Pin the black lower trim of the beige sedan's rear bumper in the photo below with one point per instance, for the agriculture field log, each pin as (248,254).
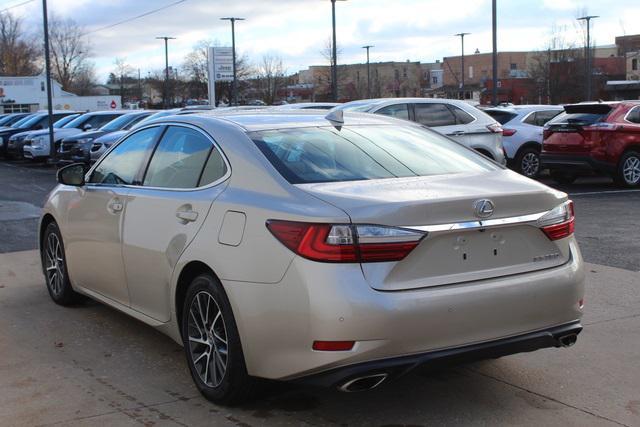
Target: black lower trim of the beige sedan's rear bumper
(398,366)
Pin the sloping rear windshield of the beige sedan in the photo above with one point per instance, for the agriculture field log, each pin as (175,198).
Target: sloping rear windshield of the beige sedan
(326,154)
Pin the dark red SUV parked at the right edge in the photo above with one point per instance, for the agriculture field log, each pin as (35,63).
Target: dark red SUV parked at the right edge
(601,138)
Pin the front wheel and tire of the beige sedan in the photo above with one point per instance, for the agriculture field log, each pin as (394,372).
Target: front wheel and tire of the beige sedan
(54,266)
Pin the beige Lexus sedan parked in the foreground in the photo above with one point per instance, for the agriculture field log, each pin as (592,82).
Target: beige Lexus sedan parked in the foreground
(340,250)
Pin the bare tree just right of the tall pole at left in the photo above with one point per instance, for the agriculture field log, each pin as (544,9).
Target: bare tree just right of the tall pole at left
(70,51)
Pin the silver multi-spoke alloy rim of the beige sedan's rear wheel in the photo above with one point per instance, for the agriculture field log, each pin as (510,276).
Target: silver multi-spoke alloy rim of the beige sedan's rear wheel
(208,340)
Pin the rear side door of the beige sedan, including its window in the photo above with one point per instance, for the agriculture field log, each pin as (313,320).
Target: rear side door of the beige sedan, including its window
(185,175)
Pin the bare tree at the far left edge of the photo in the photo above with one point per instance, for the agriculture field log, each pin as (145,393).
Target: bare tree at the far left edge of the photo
(19,53)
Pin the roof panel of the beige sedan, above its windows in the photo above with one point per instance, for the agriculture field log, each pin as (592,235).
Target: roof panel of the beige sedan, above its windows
(259,120)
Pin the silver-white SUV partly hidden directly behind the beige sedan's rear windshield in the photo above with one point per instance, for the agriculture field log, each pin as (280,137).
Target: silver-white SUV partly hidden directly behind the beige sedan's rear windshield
(456,119)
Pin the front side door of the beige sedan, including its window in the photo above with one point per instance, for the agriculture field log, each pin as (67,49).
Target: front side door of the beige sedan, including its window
(93,237)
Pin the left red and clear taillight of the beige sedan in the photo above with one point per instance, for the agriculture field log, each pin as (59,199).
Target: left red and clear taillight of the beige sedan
(344,242)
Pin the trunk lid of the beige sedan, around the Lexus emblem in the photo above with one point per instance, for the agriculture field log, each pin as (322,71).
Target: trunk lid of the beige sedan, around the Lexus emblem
(446,256)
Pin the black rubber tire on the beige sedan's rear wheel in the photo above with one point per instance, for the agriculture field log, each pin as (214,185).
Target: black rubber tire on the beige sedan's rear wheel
(235,386)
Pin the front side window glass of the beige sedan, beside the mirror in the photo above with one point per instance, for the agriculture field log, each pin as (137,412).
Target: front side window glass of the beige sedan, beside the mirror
(122,165)
